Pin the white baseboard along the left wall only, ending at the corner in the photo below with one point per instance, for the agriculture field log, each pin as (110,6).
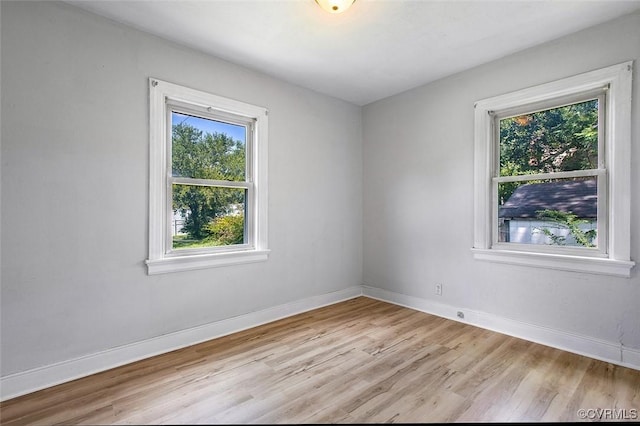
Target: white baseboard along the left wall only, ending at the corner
(50,375)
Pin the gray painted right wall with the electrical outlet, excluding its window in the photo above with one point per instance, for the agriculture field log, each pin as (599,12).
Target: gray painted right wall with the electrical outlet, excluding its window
(418,196)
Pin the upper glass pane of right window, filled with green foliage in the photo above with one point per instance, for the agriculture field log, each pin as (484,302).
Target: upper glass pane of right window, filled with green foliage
(553,140)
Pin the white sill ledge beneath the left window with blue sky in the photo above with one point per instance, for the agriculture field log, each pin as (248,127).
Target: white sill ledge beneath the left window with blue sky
(203,261)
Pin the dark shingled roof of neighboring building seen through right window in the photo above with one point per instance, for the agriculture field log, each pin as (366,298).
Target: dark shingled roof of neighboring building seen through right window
(577,196)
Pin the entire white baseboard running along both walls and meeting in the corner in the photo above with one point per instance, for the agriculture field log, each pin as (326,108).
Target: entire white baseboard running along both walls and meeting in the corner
(22,383)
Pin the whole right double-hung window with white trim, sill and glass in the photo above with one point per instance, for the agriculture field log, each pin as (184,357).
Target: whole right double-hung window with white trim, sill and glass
(552,174)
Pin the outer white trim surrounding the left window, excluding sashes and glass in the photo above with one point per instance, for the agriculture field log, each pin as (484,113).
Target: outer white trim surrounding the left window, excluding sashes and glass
(161,260)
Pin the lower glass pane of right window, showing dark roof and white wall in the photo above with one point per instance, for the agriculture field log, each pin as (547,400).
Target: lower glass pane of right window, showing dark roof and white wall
(559,212)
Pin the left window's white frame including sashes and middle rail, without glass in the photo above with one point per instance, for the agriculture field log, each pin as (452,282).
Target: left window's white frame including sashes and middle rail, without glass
(165,97)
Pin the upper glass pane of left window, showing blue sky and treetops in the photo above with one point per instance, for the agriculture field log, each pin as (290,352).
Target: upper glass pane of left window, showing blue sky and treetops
(207,149)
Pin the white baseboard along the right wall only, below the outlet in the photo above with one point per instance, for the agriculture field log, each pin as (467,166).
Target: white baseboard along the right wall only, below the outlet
(570,342)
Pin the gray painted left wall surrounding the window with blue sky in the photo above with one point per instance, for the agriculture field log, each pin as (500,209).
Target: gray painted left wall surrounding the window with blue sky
(75,157)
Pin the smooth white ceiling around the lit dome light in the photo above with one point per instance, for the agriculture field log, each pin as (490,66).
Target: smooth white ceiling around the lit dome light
(375,49)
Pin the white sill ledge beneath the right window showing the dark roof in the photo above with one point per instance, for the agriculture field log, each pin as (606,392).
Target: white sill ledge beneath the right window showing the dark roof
(591,265)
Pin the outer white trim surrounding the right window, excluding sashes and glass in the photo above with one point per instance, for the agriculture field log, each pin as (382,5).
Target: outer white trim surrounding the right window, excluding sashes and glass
(617,156)
